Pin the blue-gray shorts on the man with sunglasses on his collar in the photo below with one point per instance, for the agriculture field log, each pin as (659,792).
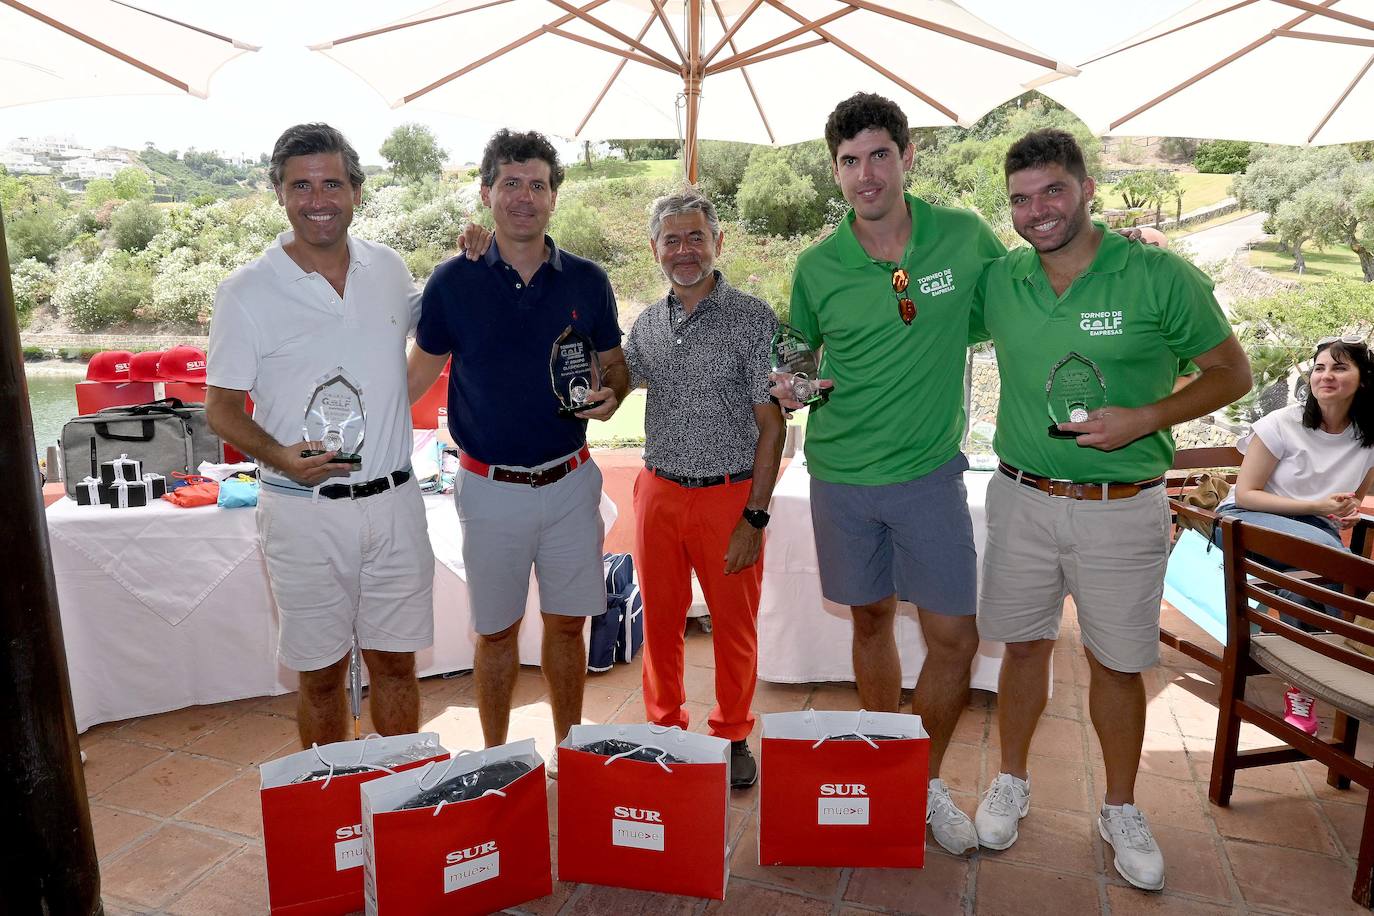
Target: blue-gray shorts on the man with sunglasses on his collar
(913,539)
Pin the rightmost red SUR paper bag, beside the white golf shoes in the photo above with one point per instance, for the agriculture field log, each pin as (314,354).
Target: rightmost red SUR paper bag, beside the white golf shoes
(828,797)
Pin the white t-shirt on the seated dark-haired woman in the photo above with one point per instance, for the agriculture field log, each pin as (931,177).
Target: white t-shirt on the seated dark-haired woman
(1313,465)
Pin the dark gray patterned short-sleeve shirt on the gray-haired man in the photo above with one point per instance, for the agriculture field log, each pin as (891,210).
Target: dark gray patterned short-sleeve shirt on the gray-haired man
(706,373)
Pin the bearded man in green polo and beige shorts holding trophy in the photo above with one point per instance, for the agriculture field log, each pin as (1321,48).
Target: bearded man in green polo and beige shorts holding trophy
(1086,516)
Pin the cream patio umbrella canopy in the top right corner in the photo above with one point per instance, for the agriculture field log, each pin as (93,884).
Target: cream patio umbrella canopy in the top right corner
(1272,71)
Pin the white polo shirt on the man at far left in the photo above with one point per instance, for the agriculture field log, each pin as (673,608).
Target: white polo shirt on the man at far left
(277,330)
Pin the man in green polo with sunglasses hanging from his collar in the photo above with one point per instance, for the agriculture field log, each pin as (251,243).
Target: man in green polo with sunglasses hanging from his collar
(888,296)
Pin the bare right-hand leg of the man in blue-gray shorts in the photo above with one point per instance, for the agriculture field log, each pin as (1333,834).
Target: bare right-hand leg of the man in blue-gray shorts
(943,689)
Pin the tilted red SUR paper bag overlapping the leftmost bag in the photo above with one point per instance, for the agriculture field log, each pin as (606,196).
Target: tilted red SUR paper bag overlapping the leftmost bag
(473,856)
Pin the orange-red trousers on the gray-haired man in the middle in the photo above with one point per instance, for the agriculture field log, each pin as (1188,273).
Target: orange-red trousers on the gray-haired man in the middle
(679,531)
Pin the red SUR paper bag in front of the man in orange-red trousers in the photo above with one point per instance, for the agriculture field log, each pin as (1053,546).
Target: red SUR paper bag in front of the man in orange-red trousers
(649,826)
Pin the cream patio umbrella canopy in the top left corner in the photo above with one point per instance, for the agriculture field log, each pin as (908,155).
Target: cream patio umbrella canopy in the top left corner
(76,49)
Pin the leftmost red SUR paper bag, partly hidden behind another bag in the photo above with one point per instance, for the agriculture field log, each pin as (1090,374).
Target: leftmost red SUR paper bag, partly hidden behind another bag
(313,832)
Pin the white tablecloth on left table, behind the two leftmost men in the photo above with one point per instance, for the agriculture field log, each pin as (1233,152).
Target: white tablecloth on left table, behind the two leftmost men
(166,608)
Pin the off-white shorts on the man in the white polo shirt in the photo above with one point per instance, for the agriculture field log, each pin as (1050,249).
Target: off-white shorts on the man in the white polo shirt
(346,566)
